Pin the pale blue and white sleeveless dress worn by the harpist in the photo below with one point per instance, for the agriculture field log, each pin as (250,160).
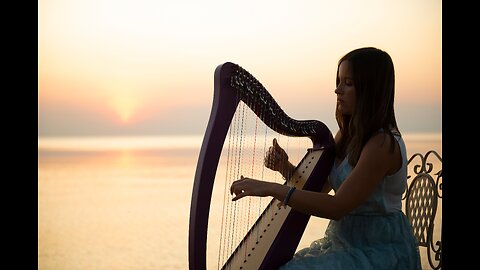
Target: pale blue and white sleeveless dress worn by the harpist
(375,235)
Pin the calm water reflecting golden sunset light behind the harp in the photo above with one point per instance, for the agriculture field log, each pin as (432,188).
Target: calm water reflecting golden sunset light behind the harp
(124,202)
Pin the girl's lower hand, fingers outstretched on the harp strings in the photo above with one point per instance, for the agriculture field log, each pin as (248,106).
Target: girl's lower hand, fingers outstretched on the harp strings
(250,187)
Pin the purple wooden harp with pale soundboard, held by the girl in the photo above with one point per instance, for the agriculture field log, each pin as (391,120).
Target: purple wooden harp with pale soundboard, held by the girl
(277,230)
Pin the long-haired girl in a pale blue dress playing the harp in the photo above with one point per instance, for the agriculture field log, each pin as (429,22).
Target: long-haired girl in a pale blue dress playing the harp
(368,229)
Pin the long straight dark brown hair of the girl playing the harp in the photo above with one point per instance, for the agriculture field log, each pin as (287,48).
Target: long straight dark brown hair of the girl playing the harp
(374,80)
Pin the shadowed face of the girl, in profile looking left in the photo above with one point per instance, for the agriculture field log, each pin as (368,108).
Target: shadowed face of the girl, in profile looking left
(345,90)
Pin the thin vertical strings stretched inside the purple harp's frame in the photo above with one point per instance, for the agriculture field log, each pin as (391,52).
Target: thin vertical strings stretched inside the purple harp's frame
(247,141)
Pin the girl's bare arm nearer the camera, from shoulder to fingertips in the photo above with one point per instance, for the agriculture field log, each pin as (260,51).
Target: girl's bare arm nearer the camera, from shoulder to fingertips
(375,162)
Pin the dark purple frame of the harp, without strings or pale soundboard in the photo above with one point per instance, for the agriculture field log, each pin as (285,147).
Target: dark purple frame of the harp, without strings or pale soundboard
(231,84)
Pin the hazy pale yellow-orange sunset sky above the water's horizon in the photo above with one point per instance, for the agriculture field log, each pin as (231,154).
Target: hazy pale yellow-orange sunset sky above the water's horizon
(109,67)
